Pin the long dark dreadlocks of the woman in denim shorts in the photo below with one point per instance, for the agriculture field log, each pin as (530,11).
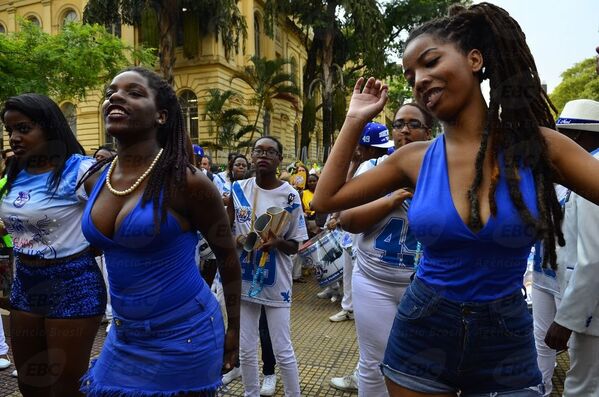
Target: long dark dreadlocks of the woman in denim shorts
(518,106)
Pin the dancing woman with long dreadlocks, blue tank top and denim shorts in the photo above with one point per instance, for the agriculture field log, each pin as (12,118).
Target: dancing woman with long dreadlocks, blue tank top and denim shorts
(483,194)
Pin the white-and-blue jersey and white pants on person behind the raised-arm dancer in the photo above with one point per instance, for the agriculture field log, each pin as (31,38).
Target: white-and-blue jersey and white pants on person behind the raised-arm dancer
(385,259)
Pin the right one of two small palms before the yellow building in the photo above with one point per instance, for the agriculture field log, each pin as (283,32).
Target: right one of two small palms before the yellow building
(269,82)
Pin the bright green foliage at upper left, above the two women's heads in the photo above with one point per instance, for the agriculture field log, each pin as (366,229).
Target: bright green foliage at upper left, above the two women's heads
(66,65)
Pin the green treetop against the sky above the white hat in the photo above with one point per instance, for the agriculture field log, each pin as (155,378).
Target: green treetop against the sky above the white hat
(579,82)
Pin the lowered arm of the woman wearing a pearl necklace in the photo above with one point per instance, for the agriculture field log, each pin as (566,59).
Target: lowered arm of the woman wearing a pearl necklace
(209,217)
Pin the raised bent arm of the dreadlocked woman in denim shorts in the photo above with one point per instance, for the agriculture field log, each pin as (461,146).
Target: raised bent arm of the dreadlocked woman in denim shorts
(333,193)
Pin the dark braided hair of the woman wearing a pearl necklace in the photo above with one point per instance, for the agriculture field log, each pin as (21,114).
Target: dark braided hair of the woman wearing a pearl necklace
(169,173)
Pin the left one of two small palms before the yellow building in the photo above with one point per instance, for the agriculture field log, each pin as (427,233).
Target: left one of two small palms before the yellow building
(227,122)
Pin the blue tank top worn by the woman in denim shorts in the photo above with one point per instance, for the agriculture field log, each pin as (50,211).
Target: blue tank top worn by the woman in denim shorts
(459,264)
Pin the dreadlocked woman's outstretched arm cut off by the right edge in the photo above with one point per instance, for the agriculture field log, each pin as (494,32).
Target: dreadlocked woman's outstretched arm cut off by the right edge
(578,170)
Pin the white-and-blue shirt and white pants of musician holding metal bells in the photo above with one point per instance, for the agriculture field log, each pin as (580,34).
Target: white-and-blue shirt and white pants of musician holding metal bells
(251,201)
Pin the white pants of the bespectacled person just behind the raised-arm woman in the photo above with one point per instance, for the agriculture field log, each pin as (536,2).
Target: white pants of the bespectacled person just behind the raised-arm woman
(374,311)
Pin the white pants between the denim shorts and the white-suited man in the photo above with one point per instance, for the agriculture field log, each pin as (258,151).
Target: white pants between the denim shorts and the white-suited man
(544,307)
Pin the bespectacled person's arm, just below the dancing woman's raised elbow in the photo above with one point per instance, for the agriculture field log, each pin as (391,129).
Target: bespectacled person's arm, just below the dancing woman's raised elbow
(364,217)
